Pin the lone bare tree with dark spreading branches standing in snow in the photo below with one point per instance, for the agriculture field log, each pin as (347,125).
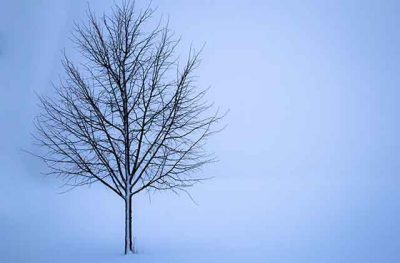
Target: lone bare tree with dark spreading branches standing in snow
(128,116)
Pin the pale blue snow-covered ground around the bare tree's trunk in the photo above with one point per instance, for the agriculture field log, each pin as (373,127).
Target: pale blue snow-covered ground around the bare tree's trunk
(255,219)
